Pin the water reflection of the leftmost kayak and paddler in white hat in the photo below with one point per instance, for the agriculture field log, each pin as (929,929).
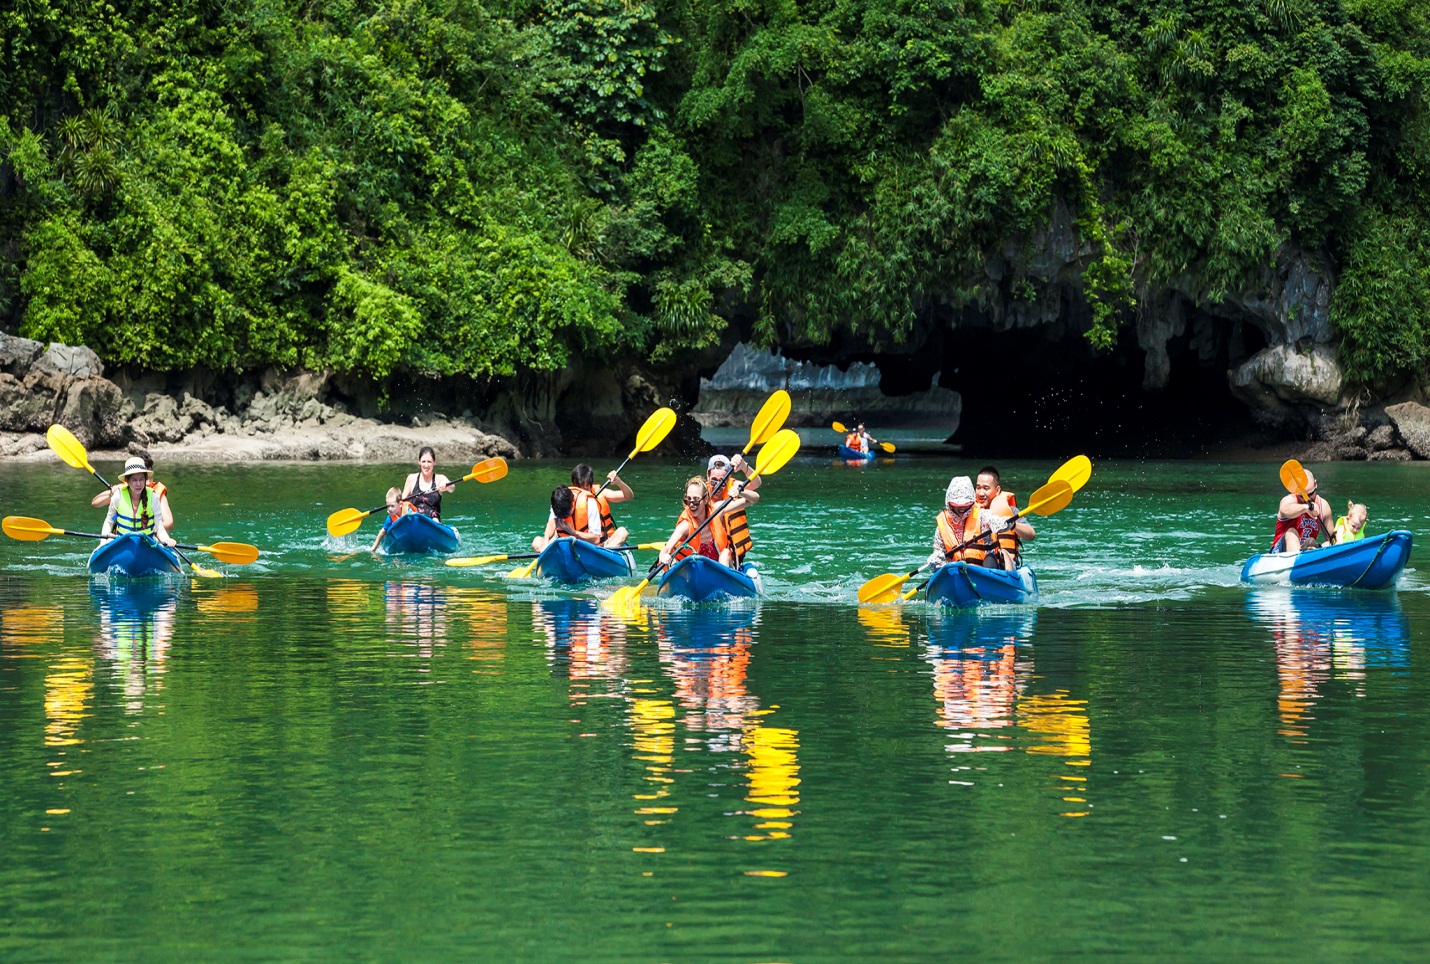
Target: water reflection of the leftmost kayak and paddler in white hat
(137,624)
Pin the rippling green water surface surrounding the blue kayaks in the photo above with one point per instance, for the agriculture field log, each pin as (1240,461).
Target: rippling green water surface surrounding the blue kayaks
(335,756)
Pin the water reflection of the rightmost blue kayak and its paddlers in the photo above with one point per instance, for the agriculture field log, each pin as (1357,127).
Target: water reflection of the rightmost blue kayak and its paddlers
(1322,636)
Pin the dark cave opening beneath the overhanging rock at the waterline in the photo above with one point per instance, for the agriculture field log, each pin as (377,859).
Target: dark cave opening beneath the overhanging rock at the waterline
(1032,395)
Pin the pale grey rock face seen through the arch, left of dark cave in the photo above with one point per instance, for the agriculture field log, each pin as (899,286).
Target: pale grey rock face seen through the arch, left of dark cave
(819,393)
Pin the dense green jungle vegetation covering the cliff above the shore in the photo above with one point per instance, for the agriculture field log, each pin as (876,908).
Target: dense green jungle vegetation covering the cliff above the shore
(490,188)
